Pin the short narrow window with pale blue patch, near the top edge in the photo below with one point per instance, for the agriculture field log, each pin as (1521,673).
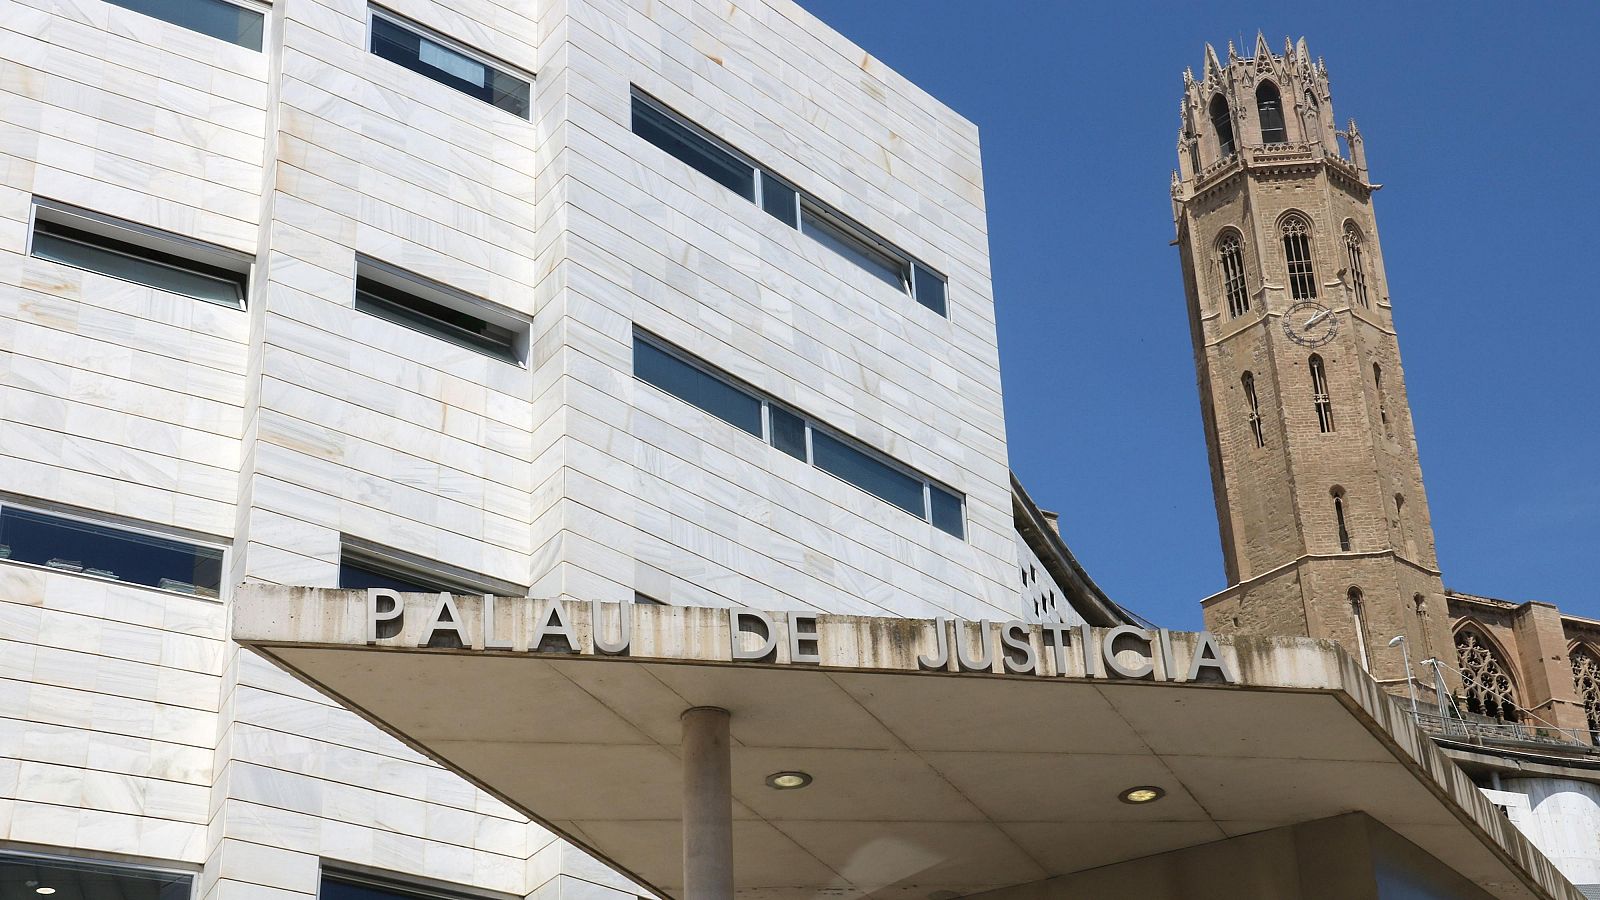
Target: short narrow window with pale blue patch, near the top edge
(449,63)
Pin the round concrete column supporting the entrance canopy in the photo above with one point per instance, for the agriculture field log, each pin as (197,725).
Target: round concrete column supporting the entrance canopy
(708,805)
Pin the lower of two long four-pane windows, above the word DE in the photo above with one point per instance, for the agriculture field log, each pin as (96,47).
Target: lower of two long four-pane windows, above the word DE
(799,436)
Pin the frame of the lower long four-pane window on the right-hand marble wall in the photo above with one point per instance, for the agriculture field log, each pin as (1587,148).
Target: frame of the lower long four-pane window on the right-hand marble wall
(810,424)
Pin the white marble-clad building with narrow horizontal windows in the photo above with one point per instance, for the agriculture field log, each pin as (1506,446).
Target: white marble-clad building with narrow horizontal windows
(193,191)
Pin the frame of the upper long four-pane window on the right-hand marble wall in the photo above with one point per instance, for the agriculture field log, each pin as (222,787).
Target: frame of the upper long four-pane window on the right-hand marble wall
(804,203)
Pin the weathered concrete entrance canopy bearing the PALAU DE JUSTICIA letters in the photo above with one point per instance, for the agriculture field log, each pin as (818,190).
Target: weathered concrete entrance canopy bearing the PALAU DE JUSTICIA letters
(926,782)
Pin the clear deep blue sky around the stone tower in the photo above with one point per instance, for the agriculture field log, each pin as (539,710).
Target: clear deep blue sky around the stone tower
(1482,121)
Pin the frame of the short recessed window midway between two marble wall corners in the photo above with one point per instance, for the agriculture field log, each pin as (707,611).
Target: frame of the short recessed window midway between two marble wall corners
(441,294)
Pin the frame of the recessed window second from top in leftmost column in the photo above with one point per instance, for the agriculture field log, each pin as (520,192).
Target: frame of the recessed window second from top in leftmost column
(172,249)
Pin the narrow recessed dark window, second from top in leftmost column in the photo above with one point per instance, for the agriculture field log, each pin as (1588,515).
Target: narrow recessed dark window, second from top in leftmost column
(138,254)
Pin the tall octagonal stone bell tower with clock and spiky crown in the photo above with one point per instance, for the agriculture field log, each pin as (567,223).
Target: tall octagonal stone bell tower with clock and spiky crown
(1314,462)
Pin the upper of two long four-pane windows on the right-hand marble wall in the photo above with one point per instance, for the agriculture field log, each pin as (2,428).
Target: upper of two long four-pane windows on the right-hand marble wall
(780,199)
